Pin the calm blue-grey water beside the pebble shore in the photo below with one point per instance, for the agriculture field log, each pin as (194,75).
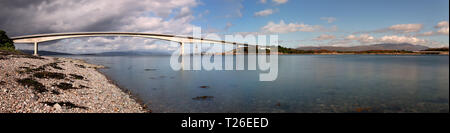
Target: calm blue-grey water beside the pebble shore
(305,83)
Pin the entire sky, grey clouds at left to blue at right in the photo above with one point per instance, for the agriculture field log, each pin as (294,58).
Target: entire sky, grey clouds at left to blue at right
(297,22)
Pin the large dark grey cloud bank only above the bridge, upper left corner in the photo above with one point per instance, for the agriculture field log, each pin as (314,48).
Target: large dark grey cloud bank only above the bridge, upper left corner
(88,15)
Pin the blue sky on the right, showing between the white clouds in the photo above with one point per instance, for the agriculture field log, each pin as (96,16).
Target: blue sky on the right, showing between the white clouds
(351,16)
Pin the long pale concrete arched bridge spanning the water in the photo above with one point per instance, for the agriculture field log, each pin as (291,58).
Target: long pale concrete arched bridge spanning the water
(38,38)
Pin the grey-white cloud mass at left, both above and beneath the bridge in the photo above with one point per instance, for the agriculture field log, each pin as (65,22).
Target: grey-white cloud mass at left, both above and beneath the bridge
(152,16)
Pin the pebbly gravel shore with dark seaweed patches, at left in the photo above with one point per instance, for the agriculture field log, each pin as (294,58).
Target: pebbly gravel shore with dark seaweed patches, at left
(31,84)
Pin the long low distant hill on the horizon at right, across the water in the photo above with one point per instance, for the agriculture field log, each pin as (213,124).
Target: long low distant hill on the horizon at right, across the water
(402,46)
